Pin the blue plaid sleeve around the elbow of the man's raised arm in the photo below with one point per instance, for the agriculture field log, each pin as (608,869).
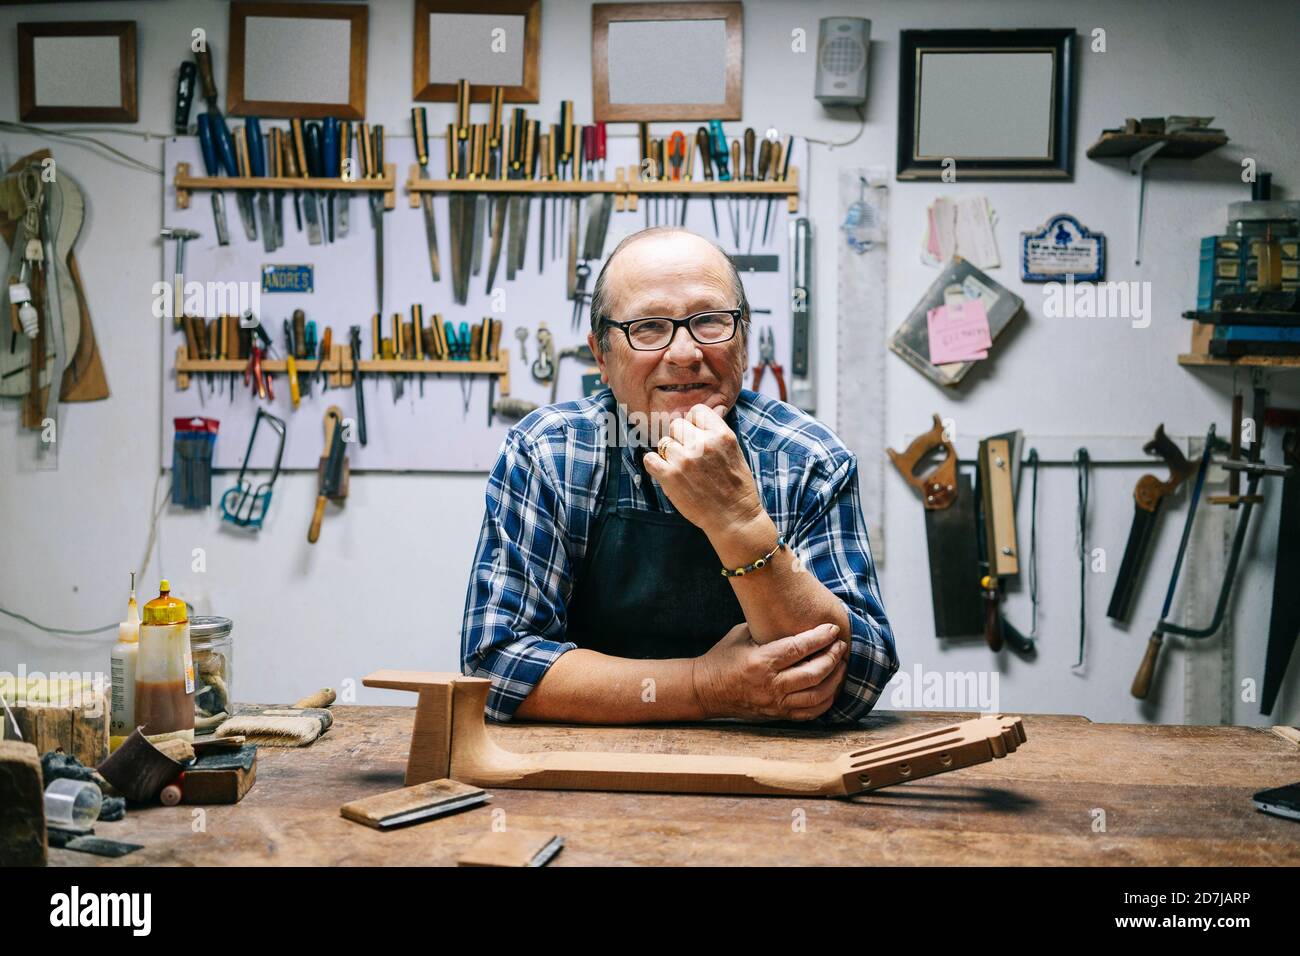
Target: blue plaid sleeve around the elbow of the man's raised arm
(831,540)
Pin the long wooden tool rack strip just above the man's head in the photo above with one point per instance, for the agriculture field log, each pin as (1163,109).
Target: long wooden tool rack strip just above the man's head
(626,187)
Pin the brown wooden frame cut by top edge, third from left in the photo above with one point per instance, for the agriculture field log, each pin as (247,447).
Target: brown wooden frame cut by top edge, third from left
(508,36)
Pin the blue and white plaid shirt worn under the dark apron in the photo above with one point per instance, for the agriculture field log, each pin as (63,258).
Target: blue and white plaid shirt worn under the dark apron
(543,500)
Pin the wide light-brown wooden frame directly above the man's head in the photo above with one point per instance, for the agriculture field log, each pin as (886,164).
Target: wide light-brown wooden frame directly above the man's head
(670,62)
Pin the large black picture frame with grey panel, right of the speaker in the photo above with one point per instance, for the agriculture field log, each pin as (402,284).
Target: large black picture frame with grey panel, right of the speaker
(986,105)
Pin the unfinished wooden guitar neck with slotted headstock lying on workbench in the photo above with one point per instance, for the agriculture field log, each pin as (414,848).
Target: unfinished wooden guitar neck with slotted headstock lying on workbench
(450,739)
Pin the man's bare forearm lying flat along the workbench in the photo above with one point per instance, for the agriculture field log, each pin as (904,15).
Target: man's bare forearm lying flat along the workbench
(590,687)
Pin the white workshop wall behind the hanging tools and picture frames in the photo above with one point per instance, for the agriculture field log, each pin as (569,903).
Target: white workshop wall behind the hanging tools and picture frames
(387,586)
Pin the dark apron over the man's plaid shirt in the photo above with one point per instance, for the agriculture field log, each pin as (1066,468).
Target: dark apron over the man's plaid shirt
(651,585)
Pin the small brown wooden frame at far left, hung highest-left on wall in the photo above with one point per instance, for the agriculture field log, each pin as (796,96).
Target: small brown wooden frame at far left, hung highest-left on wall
(67,72)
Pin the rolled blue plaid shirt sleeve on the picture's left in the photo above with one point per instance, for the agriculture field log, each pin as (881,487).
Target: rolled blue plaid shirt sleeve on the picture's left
(515,618)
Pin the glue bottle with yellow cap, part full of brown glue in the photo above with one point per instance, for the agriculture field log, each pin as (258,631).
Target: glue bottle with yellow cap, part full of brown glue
(164,673)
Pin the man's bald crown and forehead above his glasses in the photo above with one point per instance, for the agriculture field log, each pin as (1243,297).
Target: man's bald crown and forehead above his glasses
(661,258)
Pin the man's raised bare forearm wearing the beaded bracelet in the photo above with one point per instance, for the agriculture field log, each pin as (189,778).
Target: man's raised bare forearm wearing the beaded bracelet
(781,599)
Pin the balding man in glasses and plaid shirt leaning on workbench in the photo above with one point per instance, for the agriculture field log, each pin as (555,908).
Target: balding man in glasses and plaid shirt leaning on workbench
(675,548)
